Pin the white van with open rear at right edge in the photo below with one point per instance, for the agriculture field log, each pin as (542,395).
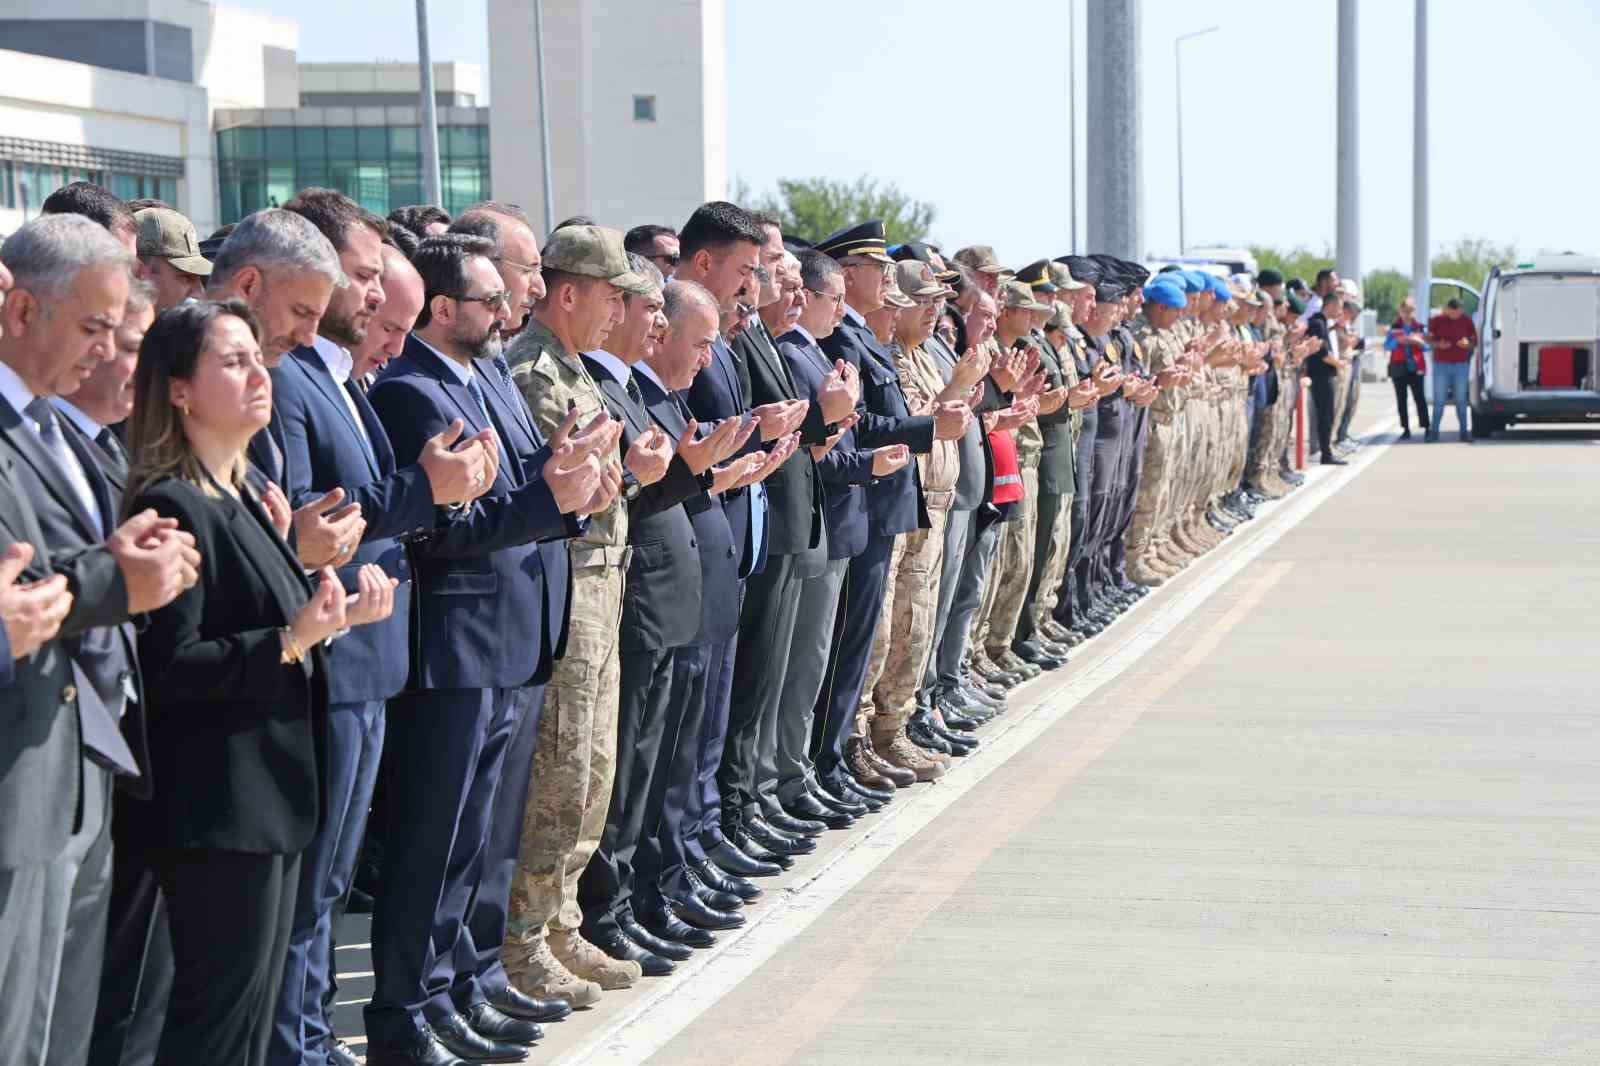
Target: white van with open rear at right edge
(1540,334)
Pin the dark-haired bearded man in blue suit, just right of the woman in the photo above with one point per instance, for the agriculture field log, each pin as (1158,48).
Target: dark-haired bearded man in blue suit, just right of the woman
(332,439)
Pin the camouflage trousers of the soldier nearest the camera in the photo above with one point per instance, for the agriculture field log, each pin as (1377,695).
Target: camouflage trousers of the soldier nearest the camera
(572,767)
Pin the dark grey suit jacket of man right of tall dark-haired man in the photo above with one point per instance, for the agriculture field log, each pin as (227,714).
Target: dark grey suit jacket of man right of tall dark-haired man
(794,492)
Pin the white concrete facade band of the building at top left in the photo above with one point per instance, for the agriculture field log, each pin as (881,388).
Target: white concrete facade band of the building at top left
(52,100)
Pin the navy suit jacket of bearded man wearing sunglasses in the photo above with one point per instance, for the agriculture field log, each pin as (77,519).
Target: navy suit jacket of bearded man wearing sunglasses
(484,606)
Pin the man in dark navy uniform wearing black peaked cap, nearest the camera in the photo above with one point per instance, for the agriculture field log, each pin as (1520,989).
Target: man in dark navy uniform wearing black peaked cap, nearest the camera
(895,503)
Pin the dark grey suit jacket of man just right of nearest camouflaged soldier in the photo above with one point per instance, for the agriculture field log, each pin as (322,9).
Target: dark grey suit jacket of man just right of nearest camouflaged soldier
(663,588)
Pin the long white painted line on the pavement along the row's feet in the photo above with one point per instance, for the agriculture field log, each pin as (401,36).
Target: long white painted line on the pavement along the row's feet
(650,1024)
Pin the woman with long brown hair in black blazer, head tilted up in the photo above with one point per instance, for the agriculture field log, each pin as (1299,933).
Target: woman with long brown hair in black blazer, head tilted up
(236,687)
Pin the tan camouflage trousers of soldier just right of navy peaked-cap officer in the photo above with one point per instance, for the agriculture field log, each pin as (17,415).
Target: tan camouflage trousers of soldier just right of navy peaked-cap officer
(900,654)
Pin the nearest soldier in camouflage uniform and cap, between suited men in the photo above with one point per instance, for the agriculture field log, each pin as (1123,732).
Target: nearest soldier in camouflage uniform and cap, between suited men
(586,275)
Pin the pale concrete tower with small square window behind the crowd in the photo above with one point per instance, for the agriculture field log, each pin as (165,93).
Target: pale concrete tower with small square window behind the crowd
(604,54)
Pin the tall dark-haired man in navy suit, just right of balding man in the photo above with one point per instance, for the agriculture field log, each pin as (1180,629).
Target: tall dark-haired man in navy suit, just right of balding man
(721,250)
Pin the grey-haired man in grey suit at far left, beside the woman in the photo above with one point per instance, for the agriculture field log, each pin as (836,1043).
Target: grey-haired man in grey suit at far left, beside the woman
(70,739)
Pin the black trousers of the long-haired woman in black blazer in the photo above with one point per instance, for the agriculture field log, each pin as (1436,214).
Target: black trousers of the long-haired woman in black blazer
(230,918)
